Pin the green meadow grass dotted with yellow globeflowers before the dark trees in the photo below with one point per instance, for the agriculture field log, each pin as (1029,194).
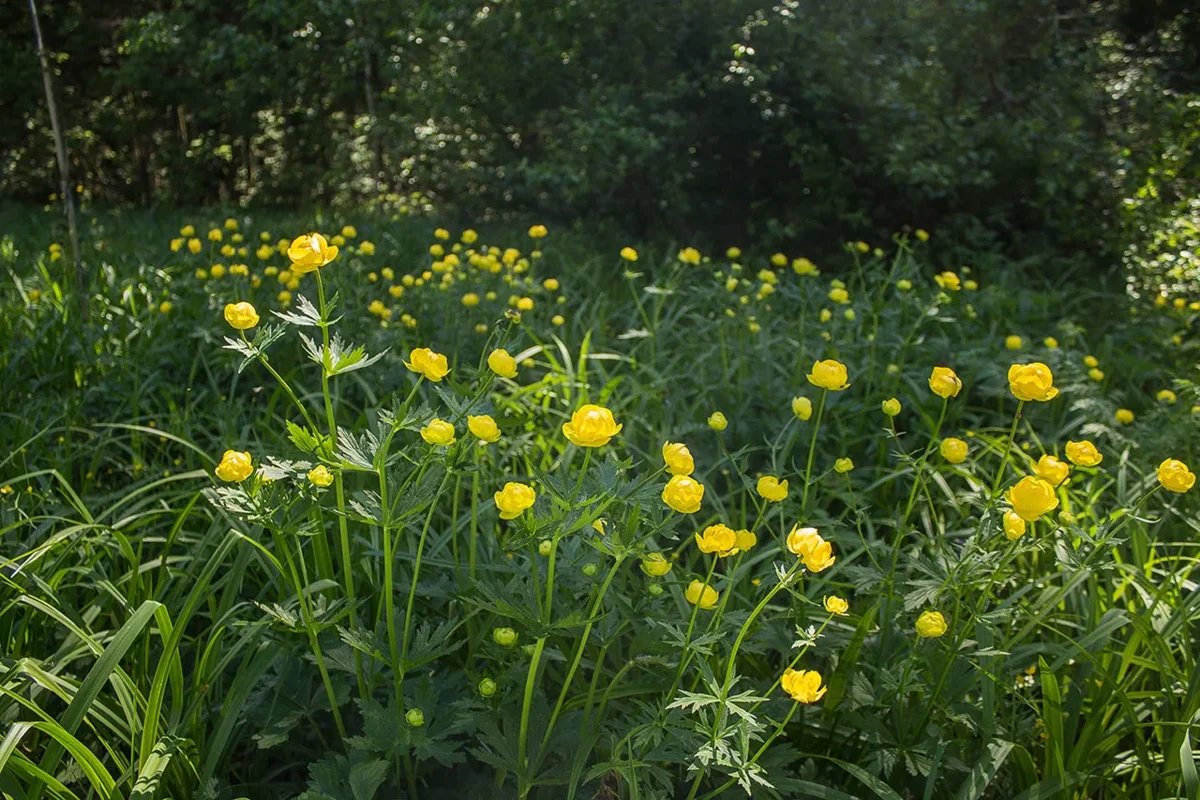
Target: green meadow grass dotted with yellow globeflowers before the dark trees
(178,622)
